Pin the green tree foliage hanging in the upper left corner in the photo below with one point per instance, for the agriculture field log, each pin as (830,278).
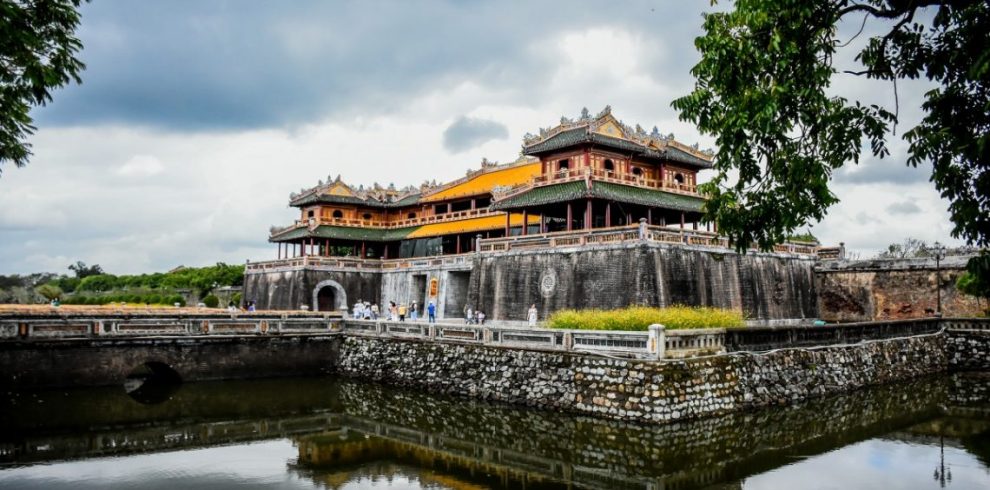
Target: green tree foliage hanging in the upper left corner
(38,50)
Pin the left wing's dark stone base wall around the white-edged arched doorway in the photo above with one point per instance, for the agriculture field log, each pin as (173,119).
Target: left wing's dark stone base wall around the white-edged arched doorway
(287,290)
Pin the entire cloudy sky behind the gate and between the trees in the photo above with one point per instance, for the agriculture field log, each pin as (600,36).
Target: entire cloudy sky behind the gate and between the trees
(197,118)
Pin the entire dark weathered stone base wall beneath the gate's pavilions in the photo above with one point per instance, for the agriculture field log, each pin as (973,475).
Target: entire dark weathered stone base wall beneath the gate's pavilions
(769,286)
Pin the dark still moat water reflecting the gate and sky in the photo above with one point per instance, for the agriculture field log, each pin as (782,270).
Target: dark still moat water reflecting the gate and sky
(327,433)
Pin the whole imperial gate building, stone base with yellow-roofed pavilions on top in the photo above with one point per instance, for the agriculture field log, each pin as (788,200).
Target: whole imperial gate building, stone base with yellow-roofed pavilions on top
(594,214)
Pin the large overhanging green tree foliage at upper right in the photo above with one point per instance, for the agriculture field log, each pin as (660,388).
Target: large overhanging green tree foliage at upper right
(762,92)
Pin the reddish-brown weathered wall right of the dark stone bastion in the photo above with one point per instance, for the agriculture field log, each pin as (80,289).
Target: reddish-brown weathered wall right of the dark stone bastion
(868,290)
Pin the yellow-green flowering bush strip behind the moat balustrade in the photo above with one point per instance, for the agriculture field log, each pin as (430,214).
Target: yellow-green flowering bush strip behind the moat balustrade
(638,318)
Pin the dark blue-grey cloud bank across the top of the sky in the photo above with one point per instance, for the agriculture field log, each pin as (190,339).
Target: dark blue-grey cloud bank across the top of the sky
(191,65)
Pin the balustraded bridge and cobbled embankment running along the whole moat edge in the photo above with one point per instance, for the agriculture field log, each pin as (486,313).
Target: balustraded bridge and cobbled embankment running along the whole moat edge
(582,372)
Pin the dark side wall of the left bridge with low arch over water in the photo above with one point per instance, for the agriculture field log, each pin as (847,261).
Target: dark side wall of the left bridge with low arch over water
(95,362)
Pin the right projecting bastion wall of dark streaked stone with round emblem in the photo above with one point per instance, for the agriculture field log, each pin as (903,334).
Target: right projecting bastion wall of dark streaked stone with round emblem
(764,286)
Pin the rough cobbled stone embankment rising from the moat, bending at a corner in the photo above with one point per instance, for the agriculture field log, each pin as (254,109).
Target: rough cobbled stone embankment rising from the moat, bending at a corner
(639,390)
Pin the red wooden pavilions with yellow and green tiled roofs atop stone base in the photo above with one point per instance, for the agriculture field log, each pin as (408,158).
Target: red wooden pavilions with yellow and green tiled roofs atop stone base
(588,173)
